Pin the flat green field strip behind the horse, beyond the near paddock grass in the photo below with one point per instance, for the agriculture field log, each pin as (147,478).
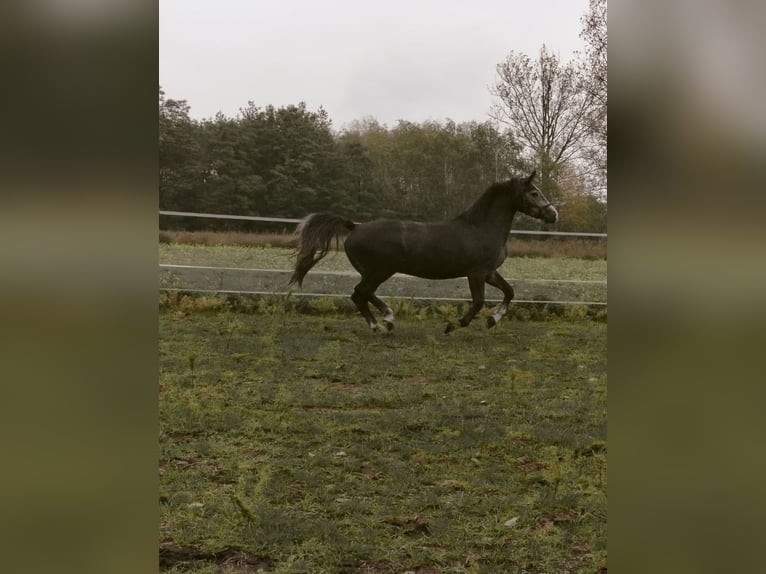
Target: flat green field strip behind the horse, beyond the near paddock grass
(533,278)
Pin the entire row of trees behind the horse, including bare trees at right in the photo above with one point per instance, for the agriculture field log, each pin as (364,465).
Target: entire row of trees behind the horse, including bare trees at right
(289,161)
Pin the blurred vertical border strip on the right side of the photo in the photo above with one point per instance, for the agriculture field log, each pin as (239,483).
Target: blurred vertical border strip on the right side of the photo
(686,157)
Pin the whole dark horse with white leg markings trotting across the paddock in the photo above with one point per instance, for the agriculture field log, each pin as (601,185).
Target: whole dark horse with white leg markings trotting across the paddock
(471,245)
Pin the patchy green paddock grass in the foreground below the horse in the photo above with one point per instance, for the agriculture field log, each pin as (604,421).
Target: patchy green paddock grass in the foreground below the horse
(302,442)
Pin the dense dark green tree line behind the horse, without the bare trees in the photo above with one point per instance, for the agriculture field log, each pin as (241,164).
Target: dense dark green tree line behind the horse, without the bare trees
(288,162)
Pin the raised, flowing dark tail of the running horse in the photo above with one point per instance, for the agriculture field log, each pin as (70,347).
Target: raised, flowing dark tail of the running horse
(315,233)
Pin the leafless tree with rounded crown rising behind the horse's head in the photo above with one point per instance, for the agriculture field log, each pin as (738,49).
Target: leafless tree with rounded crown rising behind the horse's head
(545,107)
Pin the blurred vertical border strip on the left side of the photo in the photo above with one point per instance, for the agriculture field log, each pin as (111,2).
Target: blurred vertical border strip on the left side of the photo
(78,252)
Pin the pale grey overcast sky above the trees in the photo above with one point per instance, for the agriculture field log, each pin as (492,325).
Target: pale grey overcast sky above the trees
(394,59)
